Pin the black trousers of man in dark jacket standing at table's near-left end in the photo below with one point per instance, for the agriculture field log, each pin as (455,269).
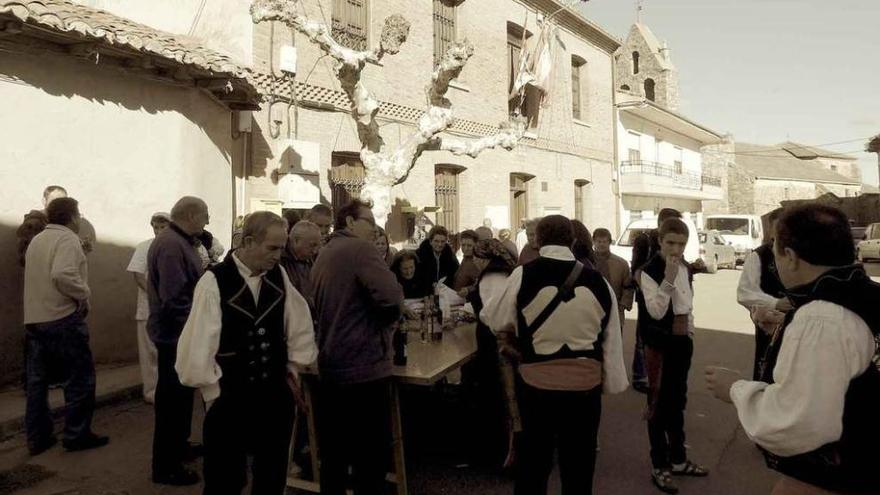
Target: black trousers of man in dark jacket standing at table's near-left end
(354,429)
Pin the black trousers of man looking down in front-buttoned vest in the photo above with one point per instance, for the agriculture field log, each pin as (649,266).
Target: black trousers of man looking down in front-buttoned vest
(259,422)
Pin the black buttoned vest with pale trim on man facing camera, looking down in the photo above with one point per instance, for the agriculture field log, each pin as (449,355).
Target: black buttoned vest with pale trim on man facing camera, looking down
(253,348)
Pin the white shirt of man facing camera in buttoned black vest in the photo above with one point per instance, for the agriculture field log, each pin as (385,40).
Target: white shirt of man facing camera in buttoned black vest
(200,339)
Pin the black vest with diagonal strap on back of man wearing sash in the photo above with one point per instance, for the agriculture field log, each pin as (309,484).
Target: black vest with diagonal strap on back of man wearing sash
(547,272)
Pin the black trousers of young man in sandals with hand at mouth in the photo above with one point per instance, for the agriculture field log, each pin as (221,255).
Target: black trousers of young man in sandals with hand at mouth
(666,425)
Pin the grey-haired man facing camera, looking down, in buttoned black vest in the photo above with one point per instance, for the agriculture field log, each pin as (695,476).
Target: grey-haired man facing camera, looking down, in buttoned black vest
(246,338)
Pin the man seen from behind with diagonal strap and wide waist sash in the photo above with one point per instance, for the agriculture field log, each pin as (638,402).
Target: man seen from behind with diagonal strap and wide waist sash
(559,321)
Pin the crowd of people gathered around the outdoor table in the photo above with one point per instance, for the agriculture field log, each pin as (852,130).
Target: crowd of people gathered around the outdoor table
(549,301)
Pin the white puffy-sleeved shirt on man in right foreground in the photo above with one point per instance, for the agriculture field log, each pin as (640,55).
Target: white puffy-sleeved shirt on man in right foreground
(824,348)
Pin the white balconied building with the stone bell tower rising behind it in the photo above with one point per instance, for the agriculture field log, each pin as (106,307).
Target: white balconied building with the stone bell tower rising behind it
(660,150)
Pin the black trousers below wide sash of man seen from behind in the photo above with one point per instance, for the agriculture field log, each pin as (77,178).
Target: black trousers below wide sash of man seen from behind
(551,420)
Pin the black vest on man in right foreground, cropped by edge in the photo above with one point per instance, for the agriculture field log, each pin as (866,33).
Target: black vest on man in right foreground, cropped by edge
(849,464)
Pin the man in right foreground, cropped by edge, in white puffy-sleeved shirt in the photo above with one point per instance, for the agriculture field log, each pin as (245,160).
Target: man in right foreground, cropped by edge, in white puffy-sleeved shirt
(814,412)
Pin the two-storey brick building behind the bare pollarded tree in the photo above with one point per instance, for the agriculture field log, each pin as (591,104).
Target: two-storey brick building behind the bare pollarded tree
(304,144)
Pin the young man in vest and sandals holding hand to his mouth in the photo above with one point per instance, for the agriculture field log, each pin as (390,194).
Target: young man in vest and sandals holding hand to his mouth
(667,301)
